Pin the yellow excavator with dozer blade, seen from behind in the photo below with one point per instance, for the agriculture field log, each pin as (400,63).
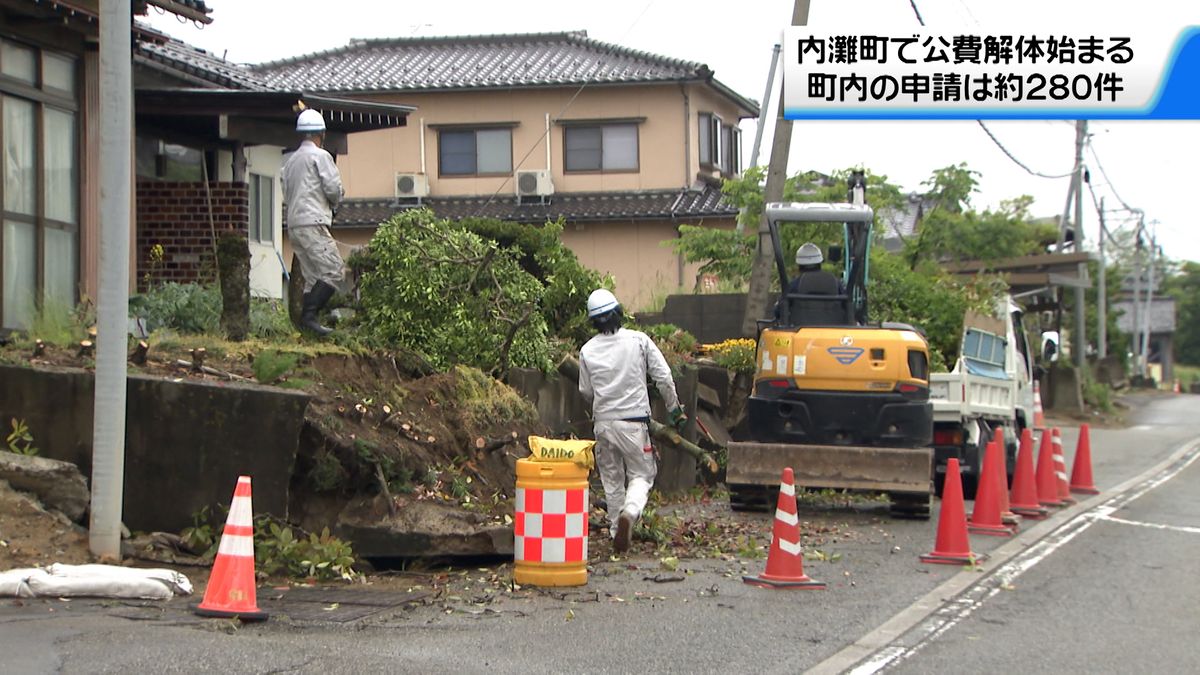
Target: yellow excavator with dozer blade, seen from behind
(842,402)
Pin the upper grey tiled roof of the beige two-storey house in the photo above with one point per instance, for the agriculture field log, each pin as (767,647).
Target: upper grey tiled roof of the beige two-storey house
(482,62)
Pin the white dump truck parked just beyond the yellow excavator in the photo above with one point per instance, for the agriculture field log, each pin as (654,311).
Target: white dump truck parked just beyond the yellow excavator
(991,387)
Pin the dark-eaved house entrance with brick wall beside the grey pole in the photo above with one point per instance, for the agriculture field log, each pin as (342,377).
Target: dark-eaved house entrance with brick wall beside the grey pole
(200,116)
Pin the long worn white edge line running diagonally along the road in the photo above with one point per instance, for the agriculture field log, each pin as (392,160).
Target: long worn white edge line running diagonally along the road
(907,636)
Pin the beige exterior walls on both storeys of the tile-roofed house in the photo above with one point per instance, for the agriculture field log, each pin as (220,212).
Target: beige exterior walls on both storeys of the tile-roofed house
(669,158)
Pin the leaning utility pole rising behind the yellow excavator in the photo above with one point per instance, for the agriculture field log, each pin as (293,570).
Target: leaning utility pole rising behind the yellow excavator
(777,176)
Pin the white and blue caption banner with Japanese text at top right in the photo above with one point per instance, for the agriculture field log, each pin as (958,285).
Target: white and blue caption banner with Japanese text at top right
(1149,73)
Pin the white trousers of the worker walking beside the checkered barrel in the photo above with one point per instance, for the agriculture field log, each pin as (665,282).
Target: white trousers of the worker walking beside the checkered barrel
(627,464)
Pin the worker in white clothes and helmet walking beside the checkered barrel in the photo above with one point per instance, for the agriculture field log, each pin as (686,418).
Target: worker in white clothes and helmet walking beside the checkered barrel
(614,368)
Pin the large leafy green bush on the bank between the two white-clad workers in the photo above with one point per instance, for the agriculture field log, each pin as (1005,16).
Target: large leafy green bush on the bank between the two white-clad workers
(451,295)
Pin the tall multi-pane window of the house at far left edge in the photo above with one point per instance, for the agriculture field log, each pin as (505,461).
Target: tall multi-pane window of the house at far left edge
(40,184)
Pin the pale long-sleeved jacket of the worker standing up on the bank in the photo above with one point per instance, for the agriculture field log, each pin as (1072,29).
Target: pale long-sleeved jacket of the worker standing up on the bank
(313,186)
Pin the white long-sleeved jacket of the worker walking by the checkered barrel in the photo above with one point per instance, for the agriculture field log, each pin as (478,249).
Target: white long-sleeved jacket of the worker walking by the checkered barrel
(613,375)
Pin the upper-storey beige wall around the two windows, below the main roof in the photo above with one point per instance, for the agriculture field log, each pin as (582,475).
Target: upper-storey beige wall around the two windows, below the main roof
(668,154)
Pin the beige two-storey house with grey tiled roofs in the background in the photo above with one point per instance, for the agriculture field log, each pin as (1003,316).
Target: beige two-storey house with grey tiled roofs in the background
(625,146)
